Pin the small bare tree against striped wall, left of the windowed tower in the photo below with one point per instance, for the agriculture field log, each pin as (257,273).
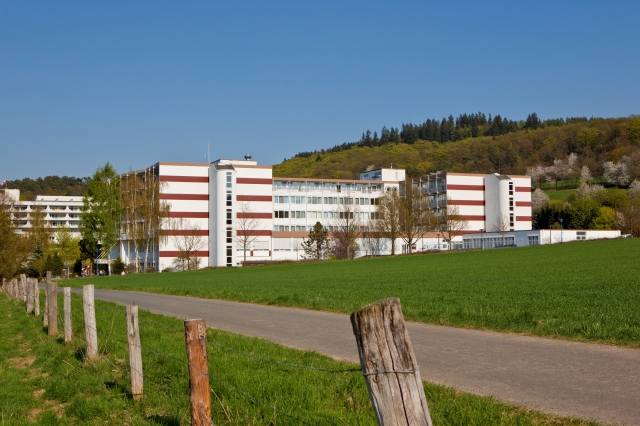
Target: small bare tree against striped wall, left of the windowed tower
(187,239)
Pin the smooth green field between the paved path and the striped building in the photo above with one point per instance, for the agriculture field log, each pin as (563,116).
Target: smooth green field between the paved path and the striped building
(582,291)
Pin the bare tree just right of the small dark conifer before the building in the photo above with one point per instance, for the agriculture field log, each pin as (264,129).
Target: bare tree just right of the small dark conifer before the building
(346,229)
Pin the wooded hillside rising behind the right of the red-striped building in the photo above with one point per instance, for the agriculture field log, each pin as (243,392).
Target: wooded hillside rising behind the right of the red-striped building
(537,143)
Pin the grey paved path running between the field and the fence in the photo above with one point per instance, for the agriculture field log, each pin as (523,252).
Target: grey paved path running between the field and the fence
(566,378)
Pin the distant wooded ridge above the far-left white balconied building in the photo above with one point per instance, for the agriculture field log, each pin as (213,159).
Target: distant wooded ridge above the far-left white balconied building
(50,185)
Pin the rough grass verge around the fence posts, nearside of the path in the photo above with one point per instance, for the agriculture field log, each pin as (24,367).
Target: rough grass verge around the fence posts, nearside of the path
(45,381)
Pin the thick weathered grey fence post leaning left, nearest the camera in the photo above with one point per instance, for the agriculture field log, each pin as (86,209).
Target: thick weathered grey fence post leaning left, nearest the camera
(389,365)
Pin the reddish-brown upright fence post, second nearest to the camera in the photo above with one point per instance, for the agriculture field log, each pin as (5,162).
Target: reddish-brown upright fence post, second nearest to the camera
(195,334)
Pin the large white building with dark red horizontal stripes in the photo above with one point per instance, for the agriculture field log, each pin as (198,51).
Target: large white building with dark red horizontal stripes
(216,197)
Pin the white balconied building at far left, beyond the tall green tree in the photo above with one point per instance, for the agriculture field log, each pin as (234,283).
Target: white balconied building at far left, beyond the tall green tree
(59,211)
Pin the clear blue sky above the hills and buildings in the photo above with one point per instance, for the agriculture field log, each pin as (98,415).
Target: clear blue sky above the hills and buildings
(133,83)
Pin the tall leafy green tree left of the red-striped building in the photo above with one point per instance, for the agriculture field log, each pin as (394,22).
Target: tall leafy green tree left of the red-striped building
(102,210)
